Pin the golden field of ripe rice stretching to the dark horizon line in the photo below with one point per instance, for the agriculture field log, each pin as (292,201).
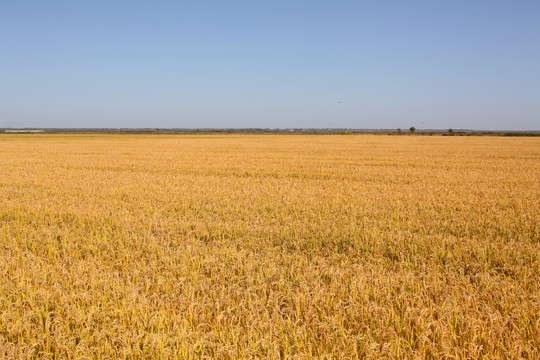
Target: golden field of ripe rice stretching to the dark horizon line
(269,247)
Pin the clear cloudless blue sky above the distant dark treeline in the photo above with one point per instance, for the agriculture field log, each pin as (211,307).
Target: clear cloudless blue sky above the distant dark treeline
(275,63)
